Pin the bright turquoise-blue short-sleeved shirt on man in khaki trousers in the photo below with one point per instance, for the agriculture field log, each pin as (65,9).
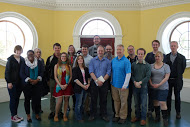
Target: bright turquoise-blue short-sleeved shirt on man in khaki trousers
(120,67)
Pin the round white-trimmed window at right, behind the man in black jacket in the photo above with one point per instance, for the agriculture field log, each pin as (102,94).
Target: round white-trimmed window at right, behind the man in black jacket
(176,28)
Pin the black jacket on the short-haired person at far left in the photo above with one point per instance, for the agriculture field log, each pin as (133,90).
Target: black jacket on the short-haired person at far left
(12,70)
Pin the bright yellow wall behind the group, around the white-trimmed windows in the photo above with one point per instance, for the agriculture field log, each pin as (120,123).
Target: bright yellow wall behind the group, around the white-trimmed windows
(139,28)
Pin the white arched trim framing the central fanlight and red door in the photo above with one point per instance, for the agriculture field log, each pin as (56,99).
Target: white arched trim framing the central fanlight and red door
(93,14)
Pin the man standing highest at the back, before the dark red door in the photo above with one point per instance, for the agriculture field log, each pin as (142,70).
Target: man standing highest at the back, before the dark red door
(93,49)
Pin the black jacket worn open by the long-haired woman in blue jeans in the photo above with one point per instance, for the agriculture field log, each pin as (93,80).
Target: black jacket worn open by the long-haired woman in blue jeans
(77,74)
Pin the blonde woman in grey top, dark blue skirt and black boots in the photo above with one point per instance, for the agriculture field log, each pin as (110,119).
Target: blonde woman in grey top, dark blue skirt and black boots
(160,73)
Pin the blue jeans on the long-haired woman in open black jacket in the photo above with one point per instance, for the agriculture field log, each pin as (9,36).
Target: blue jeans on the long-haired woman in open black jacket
(79,104)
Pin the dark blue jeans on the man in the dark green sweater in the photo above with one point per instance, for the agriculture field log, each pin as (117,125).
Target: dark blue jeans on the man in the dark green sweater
(140,96)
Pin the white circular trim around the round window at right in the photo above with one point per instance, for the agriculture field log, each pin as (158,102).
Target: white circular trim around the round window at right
(163,27)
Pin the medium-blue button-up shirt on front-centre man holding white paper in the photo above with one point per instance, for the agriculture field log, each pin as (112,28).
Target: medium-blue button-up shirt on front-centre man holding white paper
(100,67)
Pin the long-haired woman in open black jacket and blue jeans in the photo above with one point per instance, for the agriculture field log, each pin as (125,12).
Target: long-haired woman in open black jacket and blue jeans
(81,77)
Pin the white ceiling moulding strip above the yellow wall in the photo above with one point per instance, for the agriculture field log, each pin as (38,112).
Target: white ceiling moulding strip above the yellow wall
(97,4)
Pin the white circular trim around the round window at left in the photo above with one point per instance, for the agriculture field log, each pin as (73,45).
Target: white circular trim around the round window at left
(28,22)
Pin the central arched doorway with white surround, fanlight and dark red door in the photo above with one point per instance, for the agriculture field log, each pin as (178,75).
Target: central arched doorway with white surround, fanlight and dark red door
(97,23)
